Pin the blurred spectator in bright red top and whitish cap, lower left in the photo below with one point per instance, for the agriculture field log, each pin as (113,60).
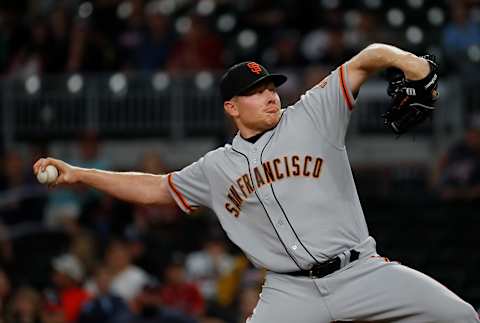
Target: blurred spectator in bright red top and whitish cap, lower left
(67,279)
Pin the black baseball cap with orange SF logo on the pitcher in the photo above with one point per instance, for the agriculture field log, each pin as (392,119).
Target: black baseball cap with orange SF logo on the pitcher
(241,77)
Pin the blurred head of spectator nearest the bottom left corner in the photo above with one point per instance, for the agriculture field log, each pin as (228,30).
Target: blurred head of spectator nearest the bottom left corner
(25,307)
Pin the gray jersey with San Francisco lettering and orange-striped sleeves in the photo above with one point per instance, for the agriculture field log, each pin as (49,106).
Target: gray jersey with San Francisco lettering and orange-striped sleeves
(289,199)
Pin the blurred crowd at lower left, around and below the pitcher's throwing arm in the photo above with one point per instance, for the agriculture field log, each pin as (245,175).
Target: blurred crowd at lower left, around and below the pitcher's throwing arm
(76,255)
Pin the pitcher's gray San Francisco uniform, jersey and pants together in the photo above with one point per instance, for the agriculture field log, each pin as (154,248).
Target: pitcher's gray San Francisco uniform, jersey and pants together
(289,201)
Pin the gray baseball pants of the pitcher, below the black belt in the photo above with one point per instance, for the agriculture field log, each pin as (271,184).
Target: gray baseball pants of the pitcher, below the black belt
(371,289)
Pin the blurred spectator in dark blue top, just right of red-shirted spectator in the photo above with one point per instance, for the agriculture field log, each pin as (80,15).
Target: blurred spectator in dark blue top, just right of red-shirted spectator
(105,307)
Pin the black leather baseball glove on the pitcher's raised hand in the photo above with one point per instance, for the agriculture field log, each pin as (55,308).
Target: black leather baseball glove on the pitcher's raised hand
(412,101)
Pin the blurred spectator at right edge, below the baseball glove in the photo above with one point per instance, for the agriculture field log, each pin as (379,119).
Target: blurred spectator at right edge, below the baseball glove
(457,175)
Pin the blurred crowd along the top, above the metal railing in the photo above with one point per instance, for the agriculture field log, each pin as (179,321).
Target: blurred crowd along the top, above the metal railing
(185,35)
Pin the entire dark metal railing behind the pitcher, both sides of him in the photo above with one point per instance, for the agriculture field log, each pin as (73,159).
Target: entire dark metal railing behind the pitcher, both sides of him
(179,107)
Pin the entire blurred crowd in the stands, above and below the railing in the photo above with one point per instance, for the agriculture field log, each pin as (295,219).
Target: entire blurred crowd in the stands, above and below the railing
(80,256)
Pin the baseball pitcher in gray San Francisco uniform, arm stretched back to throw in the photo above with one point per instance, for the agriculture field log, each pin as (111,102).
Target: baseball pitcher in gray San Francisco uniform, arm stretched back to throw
(284,193)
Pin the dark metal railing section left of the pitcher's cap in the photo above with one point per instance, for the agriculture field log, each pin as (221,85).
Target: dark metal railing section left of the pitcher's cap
(134,108)
